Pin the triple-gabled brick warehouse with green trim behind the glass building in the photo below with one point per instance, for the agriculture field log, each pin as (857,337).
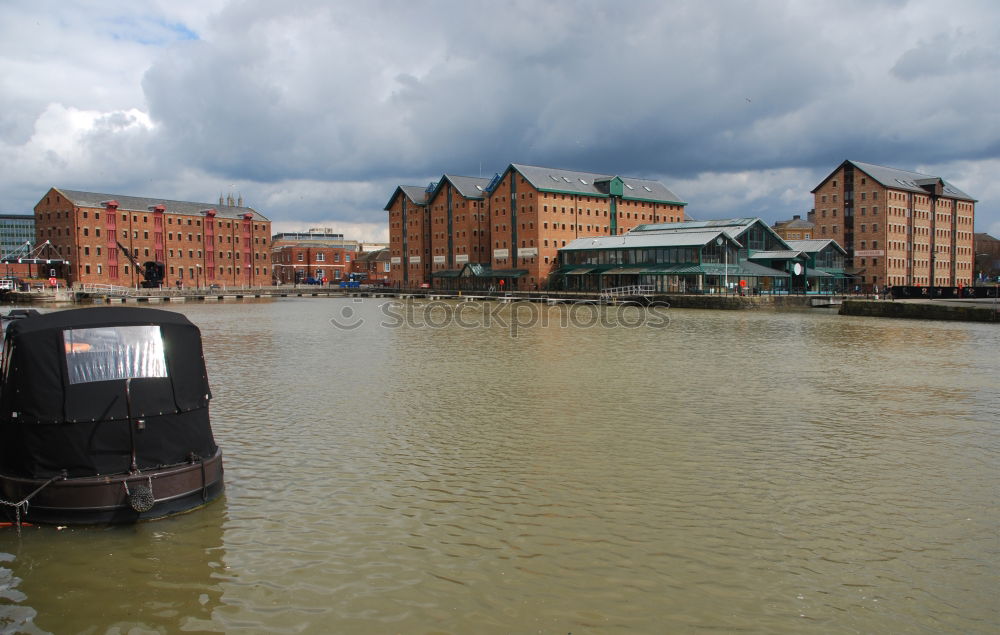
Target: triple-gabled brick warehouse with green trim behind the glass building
(467,232)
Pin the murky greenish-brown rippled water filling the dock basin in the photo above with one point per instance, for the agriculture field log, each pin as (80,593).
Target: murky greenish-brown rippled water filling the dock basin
(445,468)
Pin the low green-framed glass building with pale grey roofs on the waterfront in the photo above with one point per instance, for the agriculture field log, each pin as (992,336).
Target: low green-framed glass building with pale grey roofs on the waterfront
(714,256)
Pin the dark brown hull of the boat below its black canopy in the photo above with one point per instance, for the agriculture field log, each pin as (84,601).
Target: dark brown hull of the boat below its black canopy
(106,499)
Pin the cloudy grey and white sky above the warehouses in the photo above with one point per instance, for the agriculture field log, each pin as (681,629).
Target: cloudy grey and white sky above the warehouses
(313,110)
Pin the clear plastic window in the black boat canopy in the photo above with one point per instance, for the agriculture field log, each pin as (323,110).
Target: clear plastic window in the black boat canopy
(115,352)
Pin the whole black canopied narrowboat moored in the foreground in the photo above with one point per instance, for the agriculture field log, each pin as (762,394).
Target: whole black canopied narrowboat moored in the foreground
(104,417)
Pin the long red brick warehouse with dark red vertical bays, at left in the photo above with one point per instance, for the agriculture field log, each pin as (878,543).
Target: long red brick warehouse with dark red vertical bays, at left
(198,244)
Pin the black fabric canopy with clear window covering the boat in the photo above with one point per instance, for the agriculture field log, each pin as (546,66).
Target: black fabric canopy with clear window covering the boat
(74,380)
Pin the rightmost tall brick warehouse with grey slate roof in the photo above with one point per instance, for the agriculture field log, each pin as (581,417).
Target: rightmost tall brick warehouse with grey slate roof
(898,227)
